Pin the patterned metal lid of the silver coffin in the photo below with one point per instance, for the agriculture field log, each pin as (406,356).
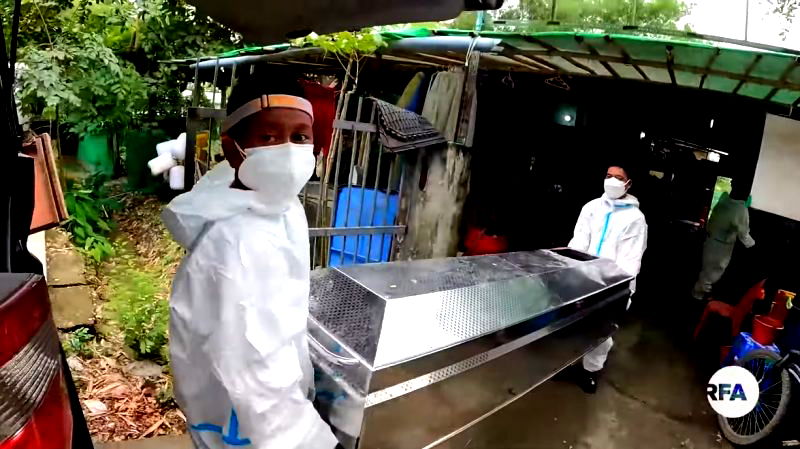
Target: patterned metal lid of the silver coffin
(394,312)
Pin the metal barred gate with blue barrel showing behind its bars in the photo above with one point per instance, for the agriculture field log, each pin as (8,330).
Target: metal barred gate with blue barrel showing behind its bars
(353,202)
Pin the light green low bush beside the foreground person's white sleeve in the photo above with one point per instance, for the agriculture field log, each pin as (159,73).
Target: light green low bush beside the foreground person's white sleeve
(138,305)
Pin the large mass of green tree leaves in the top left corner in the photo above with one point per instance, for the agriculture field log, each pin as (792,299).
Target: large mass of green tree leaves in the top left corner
(96,64)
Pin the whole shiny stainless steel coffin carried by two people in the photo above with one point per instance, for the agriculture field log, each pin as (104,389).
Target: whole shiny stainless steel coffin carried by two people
(407,354)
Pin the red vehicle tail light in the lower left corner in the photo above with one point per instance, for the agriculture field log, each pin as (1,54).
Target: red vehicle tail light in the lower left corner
(34,407)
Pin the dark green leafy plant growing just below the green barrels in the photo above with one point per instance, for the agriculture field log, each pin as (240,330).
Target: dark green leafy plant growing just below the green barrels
(90,220)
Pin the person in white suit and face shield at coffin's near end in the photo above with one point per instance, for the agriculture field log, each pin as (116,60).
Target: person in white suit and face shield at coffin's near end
(239,300)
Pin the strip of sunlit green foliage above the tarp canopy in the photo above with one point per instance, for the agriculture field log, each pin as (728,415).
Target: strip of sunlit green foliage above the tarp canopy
(587,14)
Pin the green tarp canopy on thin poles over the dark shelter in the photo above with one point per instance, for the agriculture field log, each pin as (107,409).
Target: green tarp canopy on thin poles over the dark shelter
(759,72)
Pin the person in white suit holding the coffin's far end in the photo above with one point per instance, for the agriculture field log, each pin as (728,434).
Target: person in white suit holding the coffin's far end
(610,227)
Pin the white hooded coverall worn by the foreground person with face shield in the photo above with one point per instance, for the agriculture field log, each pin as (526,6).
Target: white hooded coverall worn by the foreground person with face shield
(238,314)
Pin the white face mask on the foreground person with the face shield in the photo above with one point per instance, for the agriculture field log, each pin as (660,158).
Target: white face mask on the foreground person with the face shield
(277,172)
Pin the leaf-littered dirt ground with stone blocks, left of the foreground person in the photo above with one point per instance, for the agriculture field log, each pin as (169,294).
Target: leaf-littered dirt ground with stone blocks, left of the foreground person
(123,397)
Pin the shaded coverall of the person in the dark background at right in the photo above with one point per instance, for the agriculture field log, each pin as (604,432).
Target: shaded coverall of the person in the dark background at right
(729,221)
